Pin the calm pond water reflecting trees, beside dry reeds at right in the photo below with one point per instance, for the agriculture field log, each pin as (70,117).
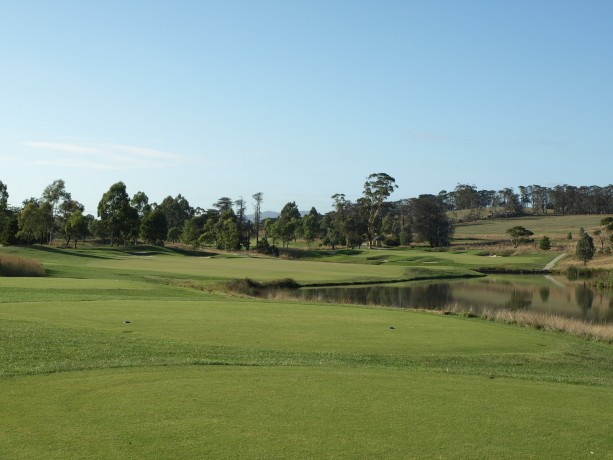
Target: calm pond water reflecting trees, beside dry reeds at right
(544,294)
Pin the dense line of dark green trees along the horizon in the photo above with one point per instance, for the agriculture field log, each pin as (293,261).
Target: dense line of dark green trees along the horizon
(371,220)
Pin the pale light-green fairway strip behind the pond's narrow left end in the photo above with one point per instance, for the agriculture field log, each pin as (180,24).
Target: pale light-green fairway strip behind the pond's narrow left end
(162,264)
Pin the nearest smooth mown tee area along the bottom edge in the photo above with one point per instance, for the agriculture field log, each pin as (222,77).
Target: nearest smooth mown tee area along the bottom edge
(299,412)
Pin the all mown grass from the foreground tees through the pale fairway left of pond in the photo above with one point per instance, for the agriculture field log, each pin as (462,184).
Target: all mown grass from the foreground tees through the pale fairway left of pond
(197,373)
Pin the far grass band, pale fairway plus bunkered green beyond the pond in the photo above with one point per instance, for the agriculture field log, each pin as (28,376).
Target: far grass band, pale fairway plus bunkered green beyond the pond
(352,266)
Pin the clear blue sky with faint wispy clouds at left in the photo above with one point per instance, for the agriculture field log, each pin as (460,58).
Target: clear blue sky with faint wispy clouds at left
(302,100)
